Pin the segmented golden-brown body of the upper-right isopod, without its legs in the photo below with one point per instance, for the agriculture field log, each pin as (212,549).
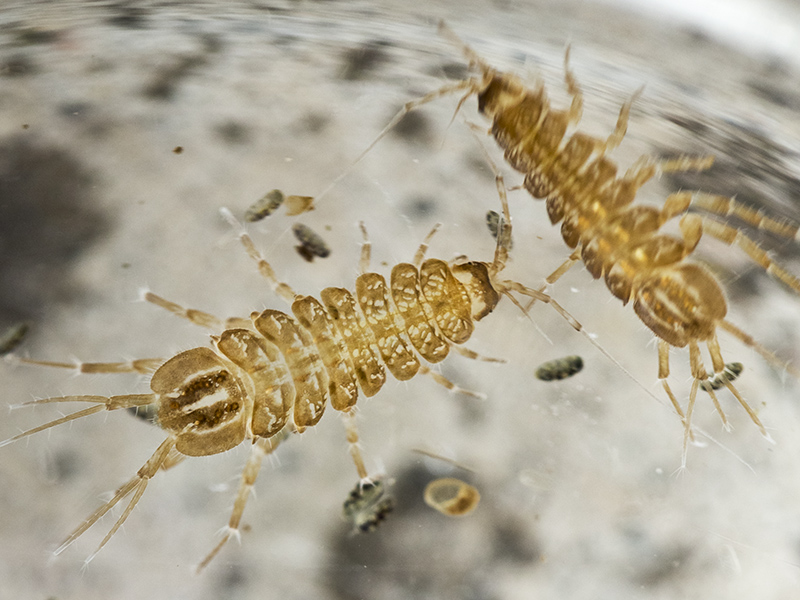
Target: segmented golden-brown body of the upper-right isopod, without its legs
(618,242)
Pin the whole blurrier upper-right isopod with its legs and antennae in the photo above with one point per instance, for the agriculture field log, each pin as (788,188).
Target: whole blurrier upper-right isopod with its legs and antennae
(680,301)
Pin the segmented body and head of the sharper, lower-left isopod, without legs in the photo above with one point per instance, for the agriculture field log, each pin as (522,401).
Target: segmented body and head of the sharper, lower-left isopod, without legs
(292,367)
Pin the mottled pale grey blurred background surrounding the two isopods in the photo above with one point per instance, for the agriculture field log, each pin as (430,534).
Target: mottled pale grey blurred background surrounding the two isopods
(579,496)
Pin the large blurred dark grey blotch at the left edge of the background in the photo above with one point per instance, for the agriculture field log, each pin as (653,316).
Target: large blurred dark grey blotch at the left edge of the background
(47,221)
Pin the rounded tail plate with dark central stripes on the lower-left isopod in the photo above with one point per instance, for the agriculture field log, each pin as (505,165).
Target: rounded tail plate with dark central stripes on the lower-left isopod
(201,402)
